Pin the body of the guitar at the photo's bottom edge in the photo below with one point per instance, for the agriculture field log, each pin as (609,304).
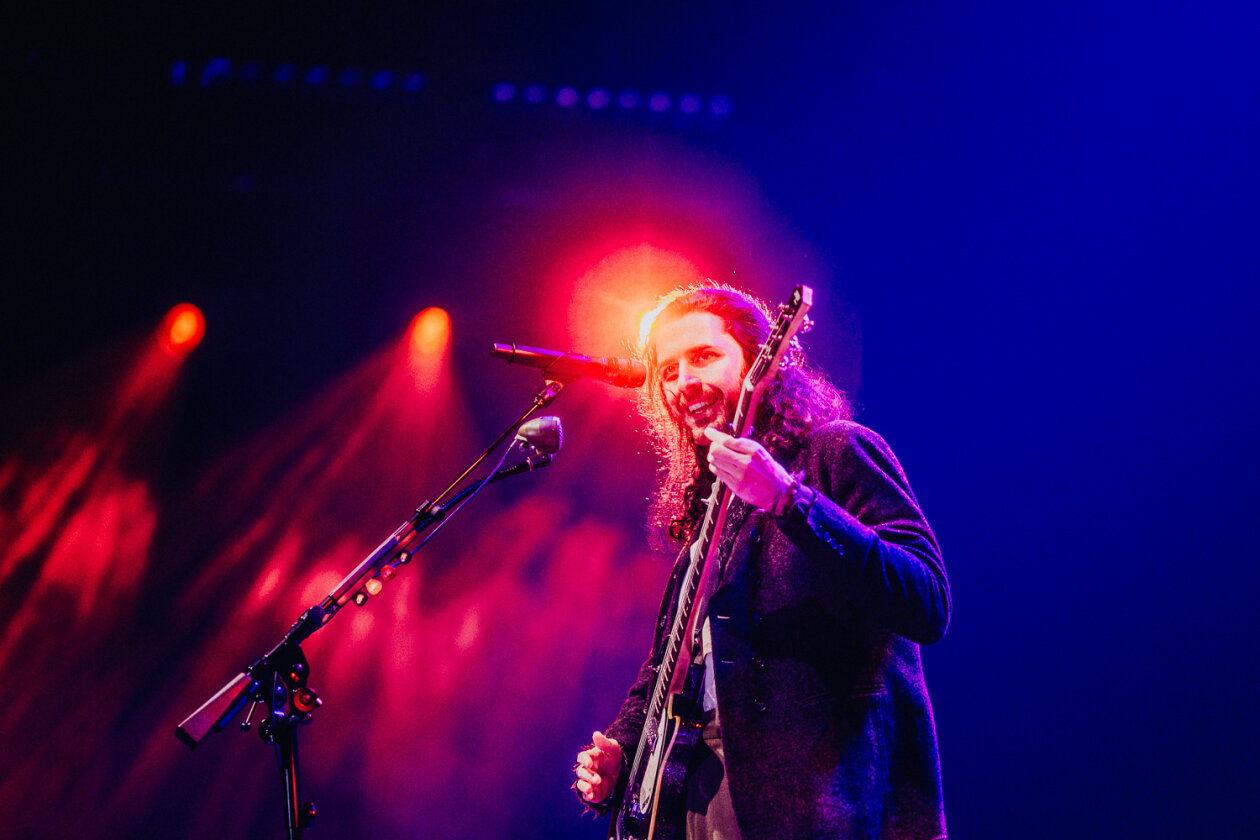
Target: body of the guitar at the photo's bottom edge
(663,818)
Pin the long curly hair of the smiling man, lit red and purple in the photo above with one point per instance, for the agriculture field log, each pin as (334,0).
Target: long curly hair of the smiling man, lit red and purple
(797,401)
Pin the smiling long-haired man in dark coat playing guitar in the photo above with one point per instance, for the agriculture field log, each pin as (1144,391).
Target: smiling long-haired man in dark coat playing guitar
(818,722)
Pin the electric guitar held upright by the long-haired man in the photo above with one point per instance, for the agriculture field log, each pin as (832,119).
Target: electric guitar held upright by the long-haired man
(653,804)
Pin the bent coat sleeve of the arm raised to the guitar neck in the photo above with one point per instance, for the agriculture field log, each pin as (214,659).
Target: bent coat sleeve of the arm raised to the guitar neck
(862,522)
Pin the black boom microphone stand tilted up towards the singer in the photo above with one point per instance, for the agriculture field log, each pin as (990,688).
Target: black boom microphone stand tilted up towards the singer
(279,678)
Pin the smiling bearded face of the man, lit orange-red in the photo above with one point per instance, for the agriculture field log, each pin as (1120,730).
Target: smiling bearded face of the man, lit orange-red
(701,370)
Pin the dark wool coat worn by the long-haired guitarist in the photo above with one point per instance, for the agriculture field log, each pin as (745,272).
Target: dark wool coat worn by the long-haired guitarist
(817,624)
